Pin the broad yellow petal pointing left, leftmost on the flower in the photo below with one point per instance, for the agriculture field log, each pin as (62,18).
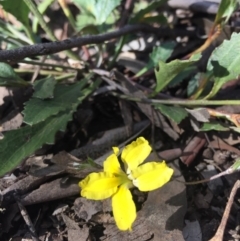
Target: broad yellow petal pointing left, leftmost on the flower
(98,186)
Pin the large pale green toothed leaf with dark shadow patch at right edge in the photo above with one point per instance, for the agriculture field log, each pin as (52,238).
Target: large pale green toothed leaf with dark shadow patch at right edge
(224,63)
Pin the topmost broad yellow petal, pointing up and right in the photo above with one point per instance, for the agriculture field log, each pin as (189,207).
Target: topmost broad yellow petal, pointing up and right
(135,153)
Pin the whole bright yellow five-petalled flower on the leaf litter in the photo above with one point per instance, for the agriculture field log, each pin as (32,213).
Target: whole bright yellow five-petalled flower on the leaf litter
(115,182)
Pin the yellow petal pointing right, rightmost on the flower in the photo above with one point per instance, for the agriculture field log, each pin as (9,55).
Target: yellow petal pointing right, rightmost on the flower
(151,176)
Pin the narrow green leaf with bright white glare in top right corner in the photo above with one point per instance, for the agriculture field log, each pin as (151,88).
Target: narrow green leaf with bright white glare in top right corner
(225,10)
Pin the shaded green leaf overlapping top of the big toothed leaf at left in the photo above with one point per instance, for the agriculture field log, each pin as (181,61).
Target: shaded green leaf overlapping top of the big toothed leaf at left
(65,98)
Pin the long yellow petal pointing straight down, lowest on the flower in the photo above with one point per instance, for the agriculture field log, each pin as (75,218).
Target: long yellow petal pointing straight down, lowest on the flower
(124,210)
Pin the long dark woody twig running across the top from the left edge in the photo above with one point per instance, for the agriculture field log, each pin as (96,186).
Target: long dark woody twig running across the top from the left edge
(58,46)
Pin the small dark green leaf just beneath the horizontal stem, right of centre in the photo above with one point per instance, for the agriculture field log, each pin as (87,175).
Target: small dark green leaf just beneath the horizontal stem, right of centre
(176,114)
